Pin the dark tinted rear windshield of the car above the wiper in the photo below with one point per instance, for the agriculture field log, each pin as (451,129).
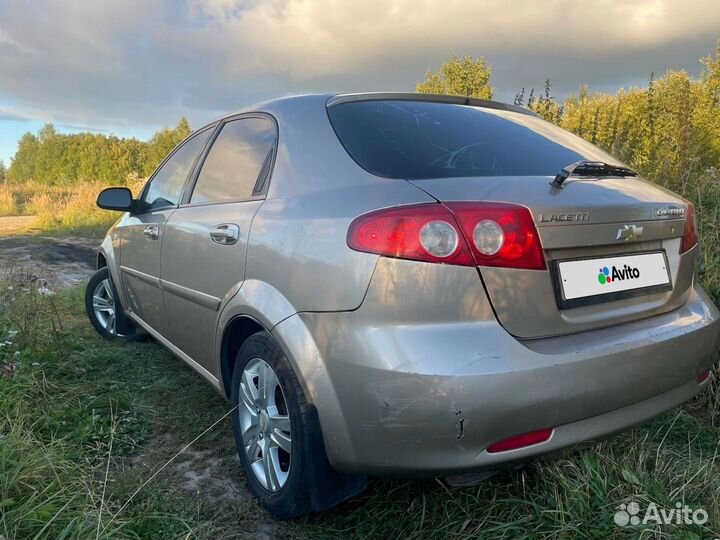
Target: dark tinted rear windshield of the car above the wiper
(416,139)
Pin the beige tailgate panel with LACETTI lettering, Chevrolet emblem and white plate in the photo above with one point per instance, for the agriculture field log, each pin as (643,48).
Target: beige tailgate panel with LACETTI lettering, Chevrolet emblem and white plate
(612,247)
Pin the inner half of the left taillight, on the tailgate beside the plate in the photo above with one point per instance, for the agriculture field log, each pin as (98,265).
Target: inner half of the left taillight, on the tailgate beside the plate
(481,224)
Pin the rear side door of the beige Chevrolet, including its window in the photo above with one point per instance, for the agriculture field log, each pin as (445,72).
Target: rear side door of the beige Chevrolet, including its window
(203,253)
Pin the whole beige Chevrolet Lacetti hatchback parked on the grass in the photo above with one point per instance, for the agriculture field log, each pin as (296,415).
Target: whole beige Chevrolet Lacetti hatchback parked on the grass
(409,285)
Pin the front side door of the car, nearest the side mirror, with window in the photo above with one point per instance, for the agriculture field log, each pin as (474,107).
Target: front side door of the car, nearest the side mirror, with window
(141,235)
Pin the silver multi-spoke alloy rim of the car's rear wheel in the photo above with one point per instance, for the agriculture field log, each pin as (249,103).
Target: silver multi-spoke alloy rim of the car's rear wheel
(265,425)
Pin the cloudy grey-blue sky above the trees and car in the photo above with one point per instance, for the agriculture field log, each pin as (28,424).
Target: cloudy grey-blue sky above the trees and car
(130,67)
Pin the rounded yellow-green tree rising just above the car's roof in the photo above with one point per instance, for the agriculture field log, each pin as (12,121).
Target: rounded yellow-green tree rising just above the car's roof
(466,76)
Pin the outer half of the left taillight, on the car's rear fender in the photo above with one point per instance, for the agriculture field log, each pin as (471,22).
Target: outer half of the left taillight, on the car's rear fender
(423,232)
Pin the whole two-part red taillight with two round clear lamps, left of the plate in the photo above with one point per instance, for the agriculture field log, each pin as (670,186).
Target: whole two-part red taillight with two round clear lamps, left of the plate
(467,234)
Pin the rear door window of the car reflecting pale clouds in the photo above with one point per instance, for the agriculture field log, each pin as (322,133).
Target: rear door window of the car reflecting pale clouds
(240,155)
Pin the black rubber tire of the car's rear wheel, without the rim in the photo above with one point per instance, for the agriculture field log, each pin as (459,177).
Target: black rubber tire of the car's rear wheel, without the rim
(293,499)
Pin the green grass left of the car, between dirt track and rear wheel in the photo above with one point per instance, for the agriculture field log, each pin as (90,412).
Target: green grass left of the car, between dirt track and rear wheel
(73,407)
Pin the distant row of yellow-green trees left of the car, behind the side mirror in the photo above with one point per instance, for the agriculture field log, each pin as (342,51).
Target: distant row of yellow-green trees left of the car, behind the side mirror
(51,158)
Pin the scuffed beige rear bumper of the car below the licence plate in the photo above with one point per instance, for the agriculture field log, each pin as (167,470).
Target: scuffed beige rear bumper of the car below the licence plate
(422,397)
